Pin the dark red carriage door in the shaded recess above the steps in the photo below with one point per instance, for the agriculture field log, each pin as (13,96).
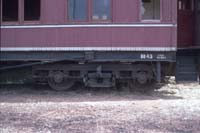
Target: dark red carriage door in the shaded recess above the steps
(185,23)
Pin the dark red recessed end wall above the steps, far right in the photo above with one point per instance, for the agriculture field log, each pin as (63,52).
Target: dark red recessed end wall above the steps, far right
(188,23)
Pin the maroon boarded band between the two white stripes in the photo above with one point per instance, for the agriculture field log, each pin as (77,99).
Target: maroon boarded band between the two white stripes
(88,37)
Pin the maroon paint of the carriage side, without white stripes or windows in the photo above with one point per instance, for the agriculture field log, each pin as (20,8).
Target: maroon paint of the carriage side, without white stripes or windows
(123,12)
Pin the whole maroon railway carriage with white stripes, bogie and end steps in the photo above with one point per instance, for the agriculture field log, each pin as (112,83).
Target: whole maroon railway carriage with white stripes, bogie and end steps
(101,42)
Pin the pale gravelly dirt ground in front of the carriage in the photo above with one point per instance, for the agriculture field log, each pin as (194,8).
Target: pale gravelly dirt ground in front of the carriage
(166,108)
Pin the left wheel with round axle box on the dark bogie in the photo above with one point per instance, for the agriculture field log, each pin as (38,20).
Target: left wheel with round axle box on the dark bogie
(57,81)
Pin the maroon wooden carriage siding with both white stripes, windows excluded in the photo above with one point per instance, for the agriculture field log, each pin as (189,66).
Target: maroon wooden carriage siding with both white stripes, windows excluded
(124,30)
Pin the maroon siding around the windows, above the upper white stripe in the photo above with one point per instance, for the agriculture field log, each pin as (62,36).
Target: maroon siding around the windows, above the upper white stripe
(127,11)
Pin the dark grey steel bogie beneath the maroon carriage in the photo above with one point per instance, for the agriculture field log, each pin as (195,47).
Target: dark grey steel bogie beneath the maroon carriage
(62,77)
